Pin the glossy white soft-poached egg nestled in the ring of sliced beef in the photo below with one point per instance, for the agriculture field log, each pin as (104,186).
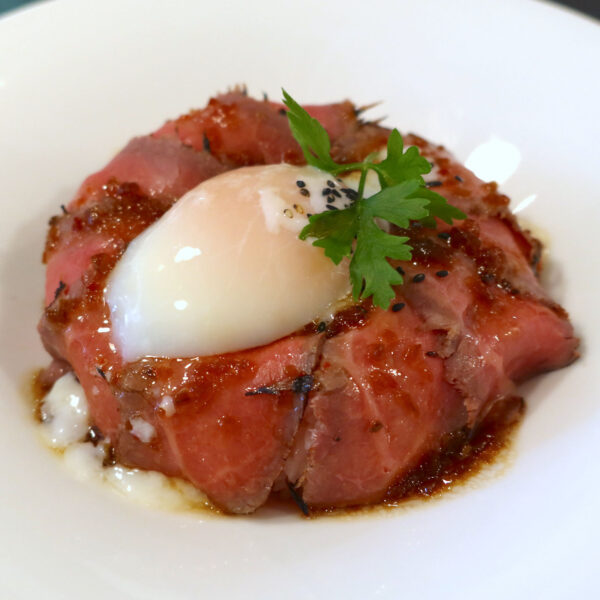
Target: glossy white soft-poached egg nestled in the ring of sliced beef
(224,269)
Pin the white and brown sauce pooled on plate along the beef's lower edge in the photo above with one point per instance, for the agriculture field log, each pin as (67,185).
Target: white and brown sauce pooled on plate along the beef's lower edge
(463,457)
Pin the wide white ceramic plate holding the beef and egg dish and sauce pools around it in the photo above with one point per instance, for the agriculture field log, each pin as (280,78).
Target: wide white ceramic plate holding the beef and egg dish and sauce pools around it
(78,79)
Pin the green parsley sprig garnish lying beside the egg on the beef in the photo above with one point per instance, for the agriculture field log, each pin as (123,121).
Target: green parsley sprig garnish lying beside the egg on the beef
(354,231)
